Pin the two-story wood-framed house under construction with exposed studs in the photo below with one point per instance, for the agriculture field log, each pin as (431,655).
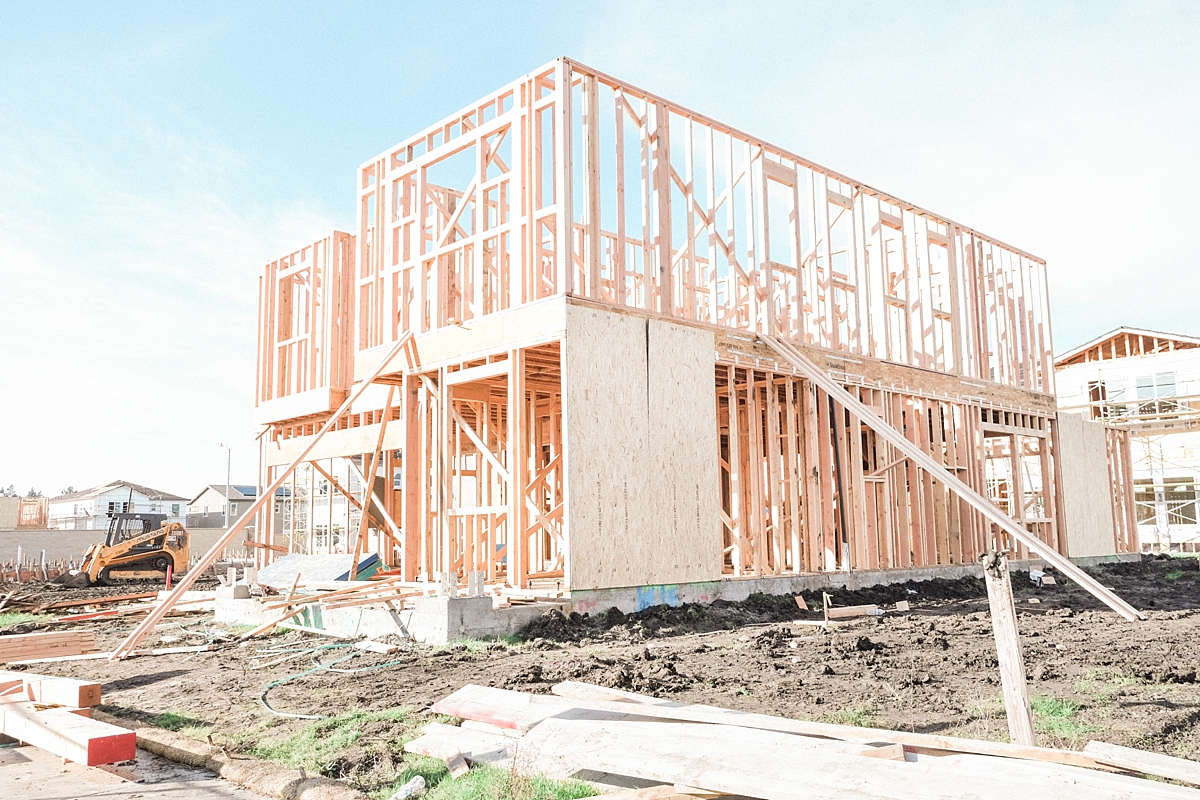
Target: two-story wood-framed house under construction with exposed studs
(589,318)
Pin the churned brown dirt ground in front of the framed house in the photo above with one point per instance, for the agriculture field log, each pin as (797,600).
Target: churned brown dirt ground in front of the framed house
(933,670)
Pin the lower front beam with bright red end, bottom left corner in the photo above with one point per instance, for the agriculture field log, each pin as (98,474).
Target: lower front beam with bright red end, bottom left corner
(69,736)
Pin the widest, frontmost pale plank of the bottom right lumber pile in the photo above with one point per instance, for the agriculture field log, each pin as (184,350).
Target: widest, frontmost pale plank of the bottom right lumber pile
(778,767)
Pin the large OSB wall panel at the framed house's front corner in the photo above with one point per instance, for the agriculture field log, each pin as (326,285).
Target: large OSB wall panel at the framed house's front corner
(641,432)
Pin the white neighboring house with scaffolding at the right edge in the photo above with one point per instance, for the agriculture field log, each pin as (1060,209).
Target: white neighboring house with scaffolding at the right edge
(1149,383)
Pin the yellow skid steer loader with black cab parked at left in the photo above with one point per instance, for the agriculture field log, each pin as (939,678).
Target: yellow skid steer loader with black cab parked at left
(139,546)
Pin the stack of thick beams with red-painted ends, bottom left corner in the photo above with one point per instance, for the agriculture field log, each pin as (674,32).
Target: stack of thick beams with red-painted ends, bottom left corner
(55,714)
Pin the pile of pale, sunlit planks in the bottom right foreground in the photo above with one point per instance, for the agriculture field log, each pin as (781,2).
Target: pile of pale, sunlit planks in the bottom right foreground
(712,751)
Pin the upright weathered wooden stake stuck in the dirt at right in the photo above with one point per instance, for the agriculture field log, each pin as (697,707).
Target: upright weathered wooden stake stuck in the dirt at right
(1009,649)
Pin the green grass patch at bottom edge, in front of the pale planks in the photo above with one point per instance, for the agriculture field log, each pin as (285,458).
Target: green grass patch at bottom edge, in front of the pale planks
(485,783)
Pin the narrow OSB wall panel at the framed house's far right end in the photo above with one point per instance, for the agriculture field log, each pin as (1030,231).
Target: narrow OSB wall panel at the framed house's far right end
(1087,490)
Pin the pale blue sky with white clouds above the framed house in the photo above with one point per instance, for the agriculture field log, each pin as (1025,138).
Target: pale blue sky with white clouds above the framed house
(153,157)
